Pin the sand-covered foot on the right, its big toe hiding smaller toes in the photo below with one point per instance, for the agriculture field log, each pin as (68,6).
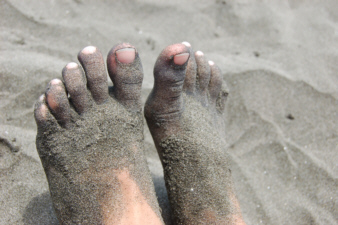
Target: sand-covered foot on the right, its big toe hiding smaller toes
(184,115)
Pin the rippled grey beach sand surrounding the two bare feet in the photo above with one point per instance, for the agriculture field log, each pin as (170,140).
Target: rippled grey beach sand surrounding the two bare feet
(279,59)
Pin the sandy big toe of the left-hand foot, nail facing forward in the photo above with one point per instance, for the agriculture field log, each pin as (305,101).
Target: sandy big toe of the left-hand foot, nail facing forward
(126,72)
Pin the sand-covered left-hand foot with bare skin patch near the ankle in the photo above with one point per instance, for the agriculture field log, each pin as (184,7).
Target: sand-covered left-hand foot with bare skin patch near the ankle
(90,141)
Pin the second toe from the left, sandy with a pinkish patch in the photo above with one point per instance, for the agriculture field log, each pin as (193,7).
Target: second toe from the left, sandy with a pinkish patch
(57,102)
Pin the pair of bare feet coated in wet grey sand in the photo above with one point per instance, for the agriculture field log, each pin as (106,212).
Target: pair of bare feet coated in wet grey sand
(90,140)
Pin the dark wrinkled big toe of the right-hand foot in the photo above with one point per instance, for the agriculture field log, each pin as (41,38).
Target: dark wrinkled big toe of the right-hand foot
(169,75)
